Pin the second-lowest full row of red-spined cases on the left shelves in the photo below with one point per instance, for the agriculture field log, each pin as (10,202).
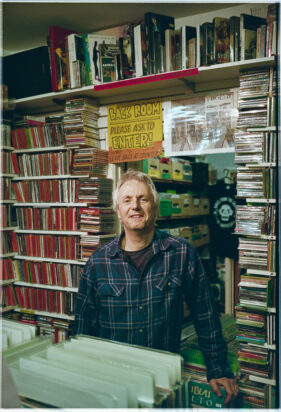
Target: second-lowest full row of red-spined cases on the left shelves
(47,273)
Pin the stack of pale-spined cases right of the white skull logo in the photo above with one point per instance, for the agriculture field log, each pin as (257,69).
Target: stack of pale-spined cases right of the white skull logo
(256,220)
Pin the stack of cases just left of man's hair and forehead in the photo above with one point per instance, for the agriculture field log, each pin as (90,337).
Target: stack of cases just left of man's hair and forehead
(95,190)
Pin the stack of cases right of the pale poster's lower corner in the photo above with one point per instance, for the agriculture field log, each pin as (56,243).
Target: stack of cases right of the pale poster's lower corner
(255,147)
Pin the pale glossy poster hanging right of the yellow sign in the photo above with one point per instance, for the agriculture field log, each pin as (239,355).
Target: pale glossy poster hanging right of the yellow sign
(201,125)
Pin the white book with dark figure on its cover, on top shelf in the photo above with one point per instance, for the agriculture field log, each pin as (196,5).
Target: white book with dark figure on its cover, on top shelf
(92,44)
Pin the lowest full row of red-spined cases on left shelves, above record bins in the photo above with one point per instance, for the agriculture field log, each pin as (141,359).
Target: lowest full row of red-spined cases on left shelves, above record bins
(45,300)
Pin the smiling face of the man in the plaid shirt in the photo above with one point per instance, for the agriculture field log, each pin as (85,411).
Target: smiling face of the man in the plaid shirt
(136,208)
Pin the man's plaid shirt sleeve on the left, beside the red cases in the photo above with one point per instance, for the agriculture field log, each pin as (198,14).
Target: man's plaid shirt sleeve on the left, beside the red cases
(86,308)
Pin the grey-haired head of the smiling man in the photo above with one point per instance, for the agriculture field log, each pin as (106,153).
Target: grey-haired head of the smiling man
(136,201)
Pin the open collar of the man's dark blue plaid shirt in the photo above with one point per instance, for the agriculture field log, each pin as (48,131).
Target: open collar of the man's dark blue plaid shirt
(161,241)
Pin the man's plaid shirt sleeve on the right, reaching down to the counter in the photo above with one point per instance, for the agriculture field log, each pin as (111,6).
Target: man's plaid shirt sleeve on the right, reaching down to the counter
(201,303)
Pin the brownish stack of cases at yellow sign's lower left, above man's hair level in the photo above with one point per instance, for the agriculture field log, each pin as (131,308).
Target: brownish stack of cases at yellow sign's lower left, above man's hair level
(90,161)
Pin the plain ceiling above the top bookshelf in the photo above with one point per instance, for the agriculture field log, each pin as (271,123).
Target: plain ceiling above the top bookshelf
(25,24)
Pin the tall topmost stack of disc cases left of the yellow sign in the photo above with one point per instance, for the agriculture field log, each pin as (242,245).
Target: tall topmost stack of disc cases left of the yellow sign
(81,122)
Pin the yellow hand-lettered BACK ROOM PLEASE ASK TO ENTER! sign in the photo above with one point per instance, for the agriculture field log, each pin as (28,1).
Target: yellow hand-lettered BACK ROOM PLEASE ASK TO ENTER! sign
(135,131)
